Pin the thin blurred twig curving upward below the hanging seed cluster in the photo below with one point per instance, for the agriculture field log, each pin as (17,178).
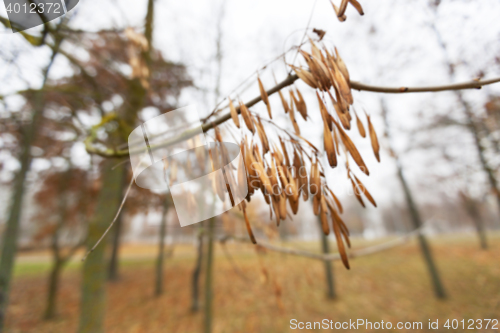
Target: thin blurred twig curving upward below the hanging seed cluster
(336,256)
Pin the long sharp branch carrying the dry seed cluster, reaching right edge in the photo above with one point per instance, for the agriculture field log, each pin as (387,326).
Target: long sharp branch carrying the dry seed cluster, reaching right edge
(108,152)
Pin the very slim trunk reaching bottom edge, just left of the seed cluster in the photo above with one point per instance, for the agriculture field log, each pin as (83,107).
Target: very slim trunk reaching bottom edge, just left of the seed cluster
(208,308)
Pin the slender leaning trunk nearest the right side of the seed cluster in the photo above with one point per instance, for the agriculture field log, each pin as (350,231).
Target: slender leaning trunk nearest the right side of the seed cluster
(415,218)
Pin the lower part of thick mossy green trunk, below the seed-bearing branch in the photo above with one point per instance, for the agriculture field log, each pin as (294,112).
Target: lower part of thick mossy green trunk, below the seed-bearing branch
(93,303)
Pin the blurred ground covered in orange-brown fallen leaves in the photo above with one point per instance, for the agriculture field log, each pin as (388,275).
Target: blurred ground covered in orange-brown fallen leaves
(263,292)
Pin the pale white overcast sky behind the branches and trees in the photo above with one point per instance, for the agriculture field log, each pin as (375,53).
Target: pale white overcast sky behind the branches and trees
(392,44)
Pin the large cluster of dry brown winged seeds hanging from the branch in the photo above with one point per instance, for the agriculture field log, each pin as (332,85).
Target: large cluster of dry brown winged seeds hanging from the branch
(291,170)
